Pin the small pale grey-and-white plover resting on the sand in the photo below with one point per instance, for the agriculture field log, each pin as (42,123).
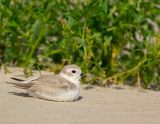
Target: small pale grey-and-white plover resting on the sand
(64,86)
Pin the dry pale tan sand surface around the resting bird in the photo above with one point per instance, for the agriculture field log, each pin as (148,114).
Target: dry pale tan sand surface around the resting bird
(98,106)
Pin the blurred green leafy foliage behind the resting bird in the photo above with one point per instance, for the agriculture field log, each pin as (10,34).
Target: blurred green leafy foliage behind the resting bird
(113,41)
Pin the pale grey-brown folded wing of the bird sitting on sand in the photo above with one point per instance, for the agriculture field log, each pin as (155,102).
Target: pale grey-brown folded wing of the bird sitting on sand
(51,85)
